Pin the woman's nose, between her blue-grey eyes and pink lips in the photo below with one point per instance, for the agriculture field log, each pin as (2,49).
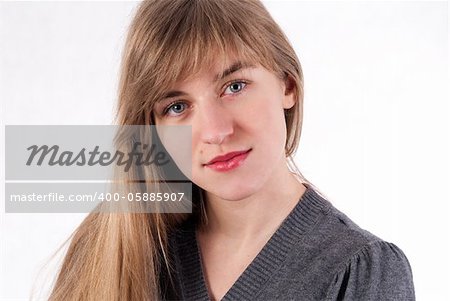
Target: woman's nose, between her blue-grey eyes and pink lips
(215,123)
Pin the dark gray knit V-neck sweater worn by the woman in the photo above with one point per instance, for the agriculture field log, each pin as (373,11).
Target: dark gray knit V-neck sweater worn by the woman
(317,253)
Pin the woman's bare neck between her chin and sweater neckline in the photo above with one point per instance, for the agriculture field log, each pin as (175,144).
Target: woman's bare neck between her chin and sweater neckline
(242,221)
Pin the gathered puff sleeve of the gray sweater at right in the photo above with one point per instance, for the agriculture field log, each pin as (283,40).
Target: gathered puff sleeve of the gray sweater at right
(379,271)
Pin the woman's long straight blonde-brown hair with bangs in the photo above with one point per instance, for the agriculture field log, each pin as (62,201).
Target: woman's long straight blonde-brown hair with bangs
(120,256)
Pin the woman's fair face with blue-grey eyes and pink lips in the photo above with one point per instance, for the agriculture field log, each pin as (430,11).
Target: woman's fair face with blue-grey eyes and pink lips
(239,109)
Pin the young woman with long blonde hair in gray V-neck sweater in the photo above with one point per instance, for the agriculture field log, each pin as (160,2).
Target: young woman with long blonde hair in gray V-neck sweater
(259,230)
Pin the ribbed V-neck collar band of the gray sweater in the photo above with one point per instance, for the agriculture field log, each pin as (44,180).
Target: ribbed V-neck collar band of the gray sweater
(298,222)
